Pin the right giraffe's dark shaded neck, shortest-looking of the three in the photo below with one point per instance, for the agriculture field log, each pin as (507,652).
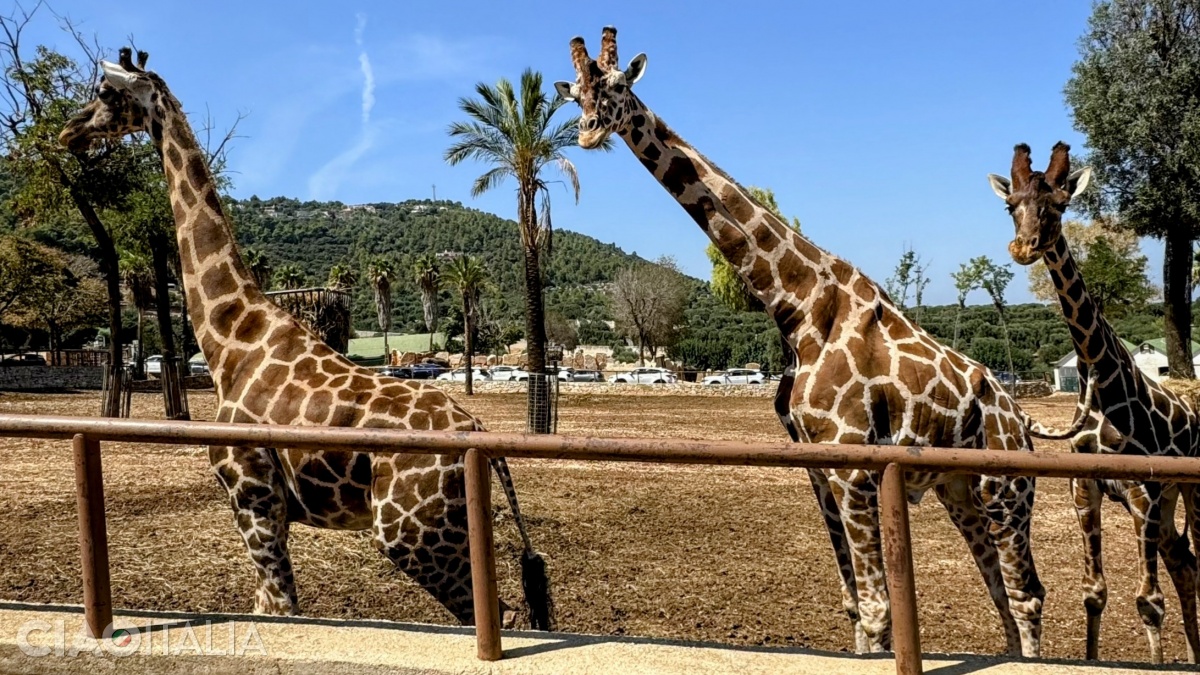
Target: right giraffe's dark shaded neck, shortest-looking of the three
(1096,343)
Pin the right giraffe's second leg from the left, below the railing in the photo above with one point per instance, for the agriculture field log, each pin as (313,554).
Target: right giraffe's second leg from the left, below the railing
(1144,501)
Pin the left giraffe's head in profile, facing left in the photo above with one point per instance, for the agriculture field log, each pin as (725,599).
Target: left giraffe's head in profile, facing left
(129,99)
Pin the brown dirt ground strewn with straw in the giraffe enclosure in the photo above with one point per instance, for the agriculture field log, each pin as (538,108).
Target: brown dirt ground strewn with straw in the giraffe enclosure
(724,554)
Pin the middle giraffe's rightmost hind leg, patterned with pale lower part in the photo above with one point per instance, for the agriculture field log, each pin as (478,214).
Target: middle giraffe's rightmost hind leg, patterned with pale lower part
(1009,504)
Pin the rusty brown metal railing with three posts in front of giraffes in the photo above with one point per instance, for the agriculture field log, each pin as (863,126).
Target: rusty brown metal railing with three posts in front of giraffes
(478,447)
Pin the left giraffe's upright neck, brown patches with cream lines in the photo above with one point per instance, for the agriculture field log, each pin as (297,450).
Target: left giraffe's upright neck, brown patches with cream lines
(220,289)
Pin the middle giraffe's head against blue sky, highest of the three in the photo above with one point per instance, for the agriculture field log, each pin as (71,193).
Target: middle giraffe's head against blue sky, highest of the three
(602,89)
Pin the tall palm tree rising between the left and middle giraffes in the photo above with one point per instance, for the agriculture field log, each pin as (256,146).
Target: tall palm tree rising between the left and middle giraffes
(518,139)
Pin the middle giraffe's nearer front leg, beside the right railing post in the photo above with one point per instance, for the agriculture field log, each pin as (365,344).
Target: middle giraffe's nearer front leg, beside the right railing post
(856,494)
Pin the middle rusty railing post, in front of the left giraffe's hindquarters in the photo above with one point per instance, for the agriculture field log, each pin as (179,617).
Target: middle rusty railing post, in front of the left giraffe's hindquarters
(483,555)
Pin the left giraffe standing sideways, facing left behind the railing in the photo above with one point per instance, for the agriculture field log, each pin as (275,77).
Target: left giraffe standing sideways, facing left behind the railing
(269,369)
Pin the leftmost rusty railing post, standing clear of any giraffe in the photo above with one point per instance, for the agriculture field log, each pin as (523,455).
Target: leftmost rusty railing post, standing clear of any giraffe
(98,594)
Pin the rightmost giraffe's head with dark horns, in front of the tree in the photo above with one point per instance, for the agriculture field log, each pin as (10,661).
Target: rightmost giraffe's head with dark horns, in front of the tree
(1037,200)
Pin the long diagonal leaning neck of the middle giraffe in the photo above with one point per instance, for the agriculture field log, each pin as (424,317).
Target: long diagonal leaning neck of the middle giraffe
(787,272)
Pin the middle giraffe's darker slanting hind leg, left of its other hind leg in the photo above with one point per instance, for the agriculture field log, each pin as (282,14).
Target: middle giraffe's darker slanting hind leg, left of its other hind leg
(967,513)
